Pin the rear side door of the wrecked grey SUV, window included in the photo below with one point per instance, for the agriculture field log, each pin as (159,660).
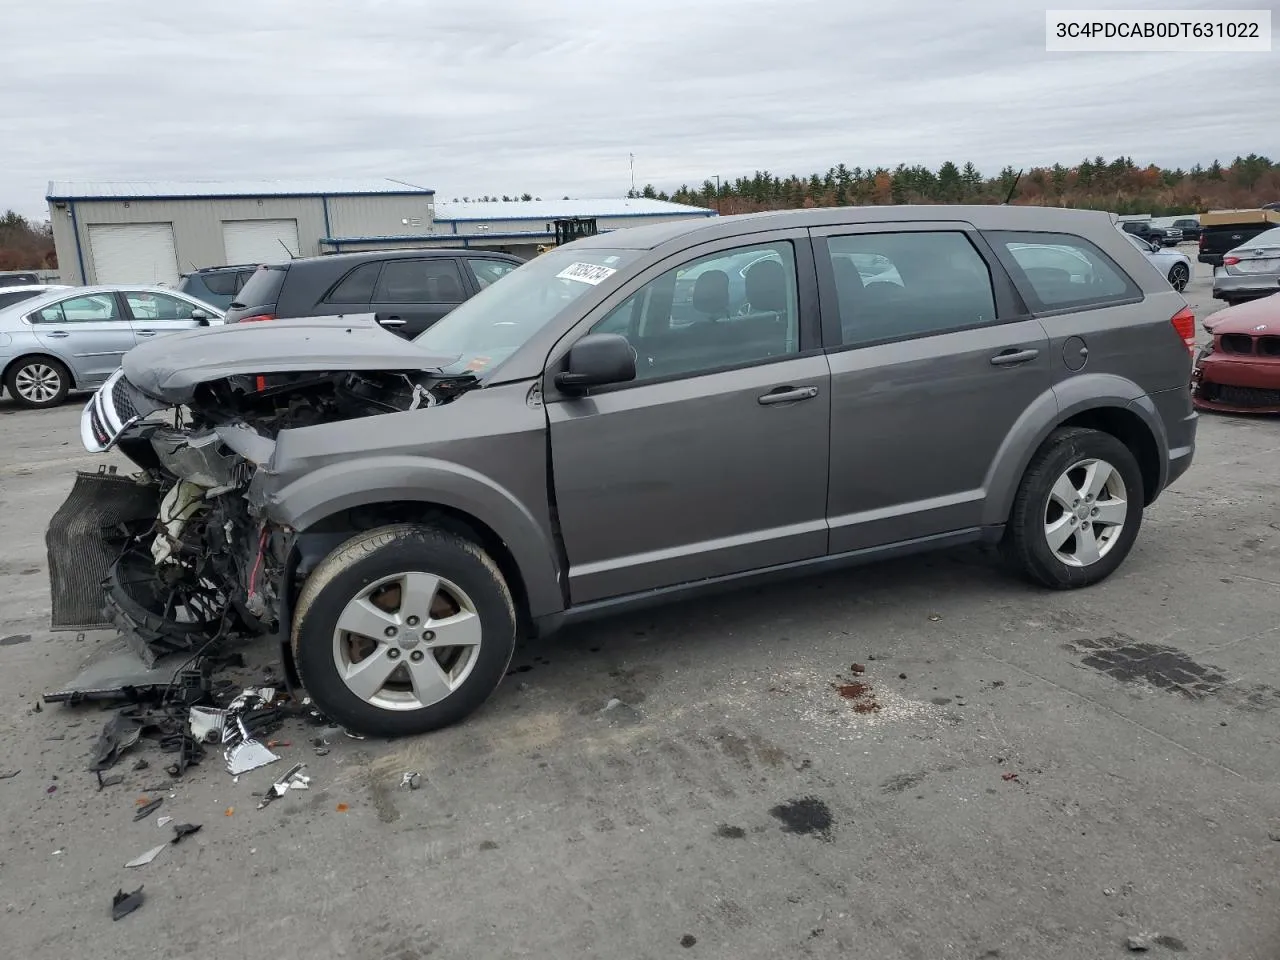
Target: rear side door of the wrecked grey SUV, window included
(932,362)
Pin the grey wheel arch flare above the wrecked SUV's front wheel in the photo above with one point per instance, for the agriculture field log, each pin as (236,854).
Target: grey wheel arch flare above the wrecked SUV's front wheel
(372,481)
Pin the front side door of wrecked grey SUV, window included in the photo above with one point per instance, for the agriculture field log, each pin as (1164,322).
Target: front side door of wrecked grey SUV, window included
(715,460)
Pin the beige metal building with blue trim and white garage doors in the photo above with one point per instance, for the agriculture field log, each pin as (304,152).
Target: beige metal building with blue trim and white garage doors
(152,232)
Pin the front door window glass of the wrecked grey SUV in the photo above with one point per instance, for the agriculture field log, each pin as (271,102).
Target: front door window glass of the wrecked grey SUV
(729,309)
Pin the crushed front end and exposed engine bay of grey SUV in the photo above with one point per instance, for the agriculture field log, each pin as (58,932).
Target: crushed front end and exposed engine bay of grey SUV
(177,557)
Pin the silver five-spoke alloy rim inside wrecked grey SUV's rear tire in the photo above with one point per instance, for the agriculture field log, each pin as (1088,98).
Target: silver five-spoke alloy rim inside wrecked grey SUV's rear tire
(1087,509)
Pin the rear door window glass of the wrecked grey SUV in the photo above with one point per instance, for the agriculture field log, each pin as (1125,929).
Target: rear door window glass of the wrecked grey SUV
(895,286)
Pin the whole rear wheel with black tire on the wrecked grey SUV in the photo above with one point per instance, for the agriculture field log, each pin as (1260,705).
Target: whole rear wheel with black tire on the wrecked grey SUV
(1040,513)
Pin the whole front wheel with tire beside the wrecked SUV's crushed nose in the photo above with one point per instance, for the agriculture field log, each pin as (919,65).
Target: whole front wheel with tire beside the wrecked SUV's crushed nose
(377,582)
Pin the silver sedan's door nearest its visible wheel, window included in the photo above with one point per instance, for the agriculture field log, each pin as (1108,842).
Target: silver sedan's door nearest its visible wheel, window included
(90,332)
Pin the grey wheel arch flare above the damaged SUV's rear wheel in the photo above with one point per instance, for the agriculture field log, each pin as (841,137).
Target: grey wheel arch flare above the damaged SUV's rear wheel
(1052,410)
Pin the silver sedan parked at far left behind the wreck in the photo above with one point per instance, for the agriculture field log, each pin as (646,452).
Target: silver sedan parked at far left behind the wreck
(70,339)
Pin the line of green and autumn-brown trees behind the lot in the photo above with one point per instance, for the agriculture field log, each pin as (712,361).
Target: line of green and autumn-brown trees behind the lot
(1119,186)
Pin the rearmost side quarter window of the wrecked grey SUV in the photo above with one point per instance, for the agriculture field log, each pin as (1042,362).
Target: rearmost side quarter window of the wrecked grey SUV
(1062,271)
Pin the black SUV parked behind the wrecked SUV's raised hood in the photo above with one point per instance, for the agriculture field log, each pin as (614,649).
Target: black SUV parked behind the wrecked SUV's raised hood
(406,290)
